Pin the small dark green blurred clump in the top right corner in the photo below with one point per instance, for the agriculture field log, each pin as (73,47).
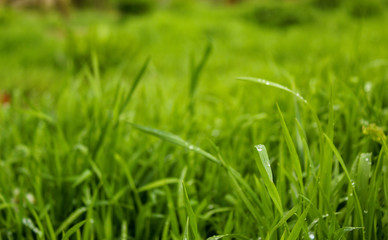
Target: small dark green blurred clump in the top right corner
(365,8)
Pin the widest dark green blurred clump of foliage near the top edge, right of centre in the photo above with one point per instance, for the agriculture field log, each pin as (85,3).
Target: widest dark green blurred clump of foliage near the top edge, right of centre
(281,14)
